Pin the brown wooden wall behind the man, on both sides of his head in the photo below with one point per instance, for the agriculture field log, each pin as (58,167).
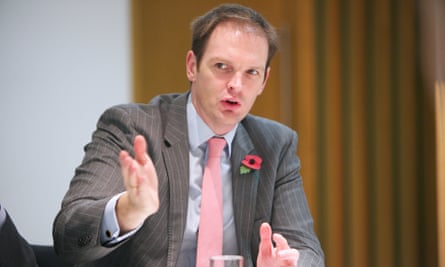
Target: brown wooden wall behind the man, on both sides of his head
(348,78)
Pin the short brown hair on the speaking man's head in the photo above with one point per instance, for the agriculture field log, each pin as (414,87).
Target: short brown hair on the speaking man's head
(203,26)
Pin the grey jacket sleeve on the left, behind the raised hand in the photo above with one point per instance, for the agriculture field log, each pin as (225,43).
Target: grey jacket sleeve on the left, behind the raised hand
(76,229)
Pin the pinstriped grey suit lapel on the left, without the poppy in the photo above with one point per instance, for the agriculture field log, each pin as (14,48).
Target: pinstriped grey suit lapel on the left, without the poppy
(176,160)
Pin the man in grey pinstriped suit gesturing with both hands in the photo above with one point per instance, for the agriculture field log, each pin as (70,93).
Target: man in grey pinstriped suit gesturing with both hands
(136,198)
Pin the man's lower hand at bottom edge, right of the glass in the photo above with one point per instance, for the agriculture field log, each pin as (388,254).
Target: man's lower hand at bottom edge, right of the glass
(278,256)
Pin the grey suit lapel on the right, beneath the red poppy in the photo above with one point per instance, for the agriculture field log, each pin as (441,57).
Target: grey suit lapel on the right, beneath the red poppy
(244,188)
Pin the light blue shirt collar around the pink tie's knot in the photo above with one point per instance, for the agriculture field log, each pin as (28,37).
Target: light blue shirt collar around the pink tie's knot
(198,130)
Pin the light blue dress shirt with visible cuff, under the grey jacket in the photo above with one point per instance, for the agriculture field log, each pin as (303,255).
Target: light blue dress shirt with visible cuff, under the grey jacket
(199,133)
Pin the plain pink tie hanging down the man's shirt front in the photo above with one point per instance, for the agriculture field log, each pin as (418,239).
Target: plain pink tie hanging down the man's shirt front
(211,218)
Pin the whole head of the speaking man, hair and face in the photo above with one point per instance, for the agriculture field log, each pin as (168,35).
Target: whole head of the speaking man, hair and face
(228,65)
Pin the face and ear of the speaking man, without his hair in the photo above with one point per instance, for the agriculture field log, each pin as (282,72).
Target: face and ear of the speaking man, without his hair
(230,76)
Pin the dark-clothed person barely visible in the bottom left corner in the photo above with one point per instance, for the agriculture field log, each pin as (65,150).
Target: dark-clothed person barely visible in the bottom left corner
(14,249)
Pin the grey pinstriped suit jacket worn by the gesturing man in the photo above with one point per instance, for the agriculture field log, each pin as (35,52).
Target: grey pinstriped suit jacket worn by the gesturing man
(274,195)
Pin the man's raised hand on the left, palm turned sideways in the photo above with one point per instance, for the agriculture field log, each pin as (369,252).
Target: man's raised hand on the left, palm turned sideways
(141,198)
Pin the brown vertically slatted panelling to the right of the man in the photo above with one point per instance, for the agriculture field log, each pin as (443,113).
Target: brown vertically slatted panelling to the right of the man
(372,143)
